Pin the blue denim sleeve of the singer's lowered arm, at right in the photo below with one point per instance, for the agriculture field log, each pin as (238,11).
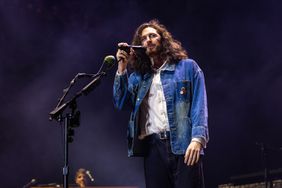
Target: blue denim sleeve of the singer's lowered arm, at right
(199,109)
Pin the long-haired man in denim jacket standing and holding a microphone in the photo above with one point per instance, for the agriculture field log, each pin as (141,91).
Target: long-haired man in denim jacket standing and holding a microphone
(167,96)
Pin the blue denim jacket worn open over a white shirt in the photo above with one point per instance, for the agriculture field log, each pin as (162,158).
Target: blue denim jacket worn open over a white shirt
(185,93)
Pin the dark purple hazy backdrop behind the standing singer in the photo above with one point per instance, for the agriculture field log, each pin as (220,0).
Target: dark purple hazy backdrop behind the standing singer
(45,43)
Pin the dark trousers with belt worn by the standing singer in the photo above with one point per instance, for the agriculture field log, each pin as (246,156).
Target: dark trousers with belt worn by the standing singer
(163,169)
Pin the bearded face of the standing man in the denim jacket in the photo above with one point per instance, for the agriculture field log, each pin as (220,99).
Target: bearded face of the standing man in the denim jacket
(151,39)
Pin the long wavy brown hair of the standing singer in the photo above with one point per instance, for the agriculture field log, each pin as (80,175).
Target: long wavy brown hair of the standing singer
(171,49)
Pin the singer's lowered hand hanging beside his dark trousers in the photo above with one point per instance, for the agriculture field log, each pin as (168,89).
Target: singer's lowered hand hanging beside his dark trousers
(192,154)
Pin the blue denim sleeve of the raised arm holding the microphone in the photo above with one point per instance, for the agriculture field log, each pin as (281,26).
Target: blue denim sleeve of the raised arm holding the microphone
(123,91)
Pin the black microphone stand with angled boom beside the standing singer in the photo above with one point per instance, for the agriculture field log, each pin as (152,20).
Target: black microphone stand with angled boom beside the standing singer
(72,119)
